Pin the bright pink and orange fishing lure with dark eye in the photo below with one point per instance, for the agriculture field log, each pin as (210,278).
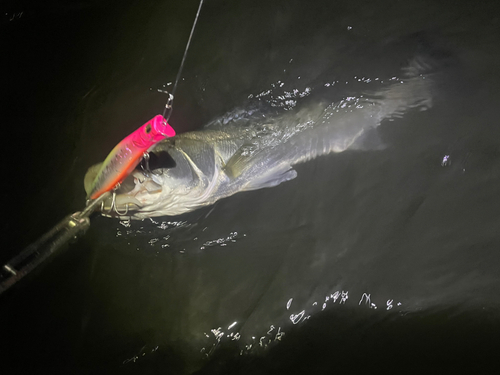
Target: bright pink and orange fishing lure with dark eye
(127,154)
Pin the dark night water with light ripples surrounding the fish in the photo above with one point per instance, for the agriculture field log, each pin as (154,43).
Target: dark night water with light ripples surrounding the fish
(368,261)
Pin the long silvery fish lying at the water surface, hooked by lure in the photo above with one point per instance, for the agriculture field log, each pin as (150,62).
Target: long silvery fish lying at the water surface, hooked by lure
(246,150)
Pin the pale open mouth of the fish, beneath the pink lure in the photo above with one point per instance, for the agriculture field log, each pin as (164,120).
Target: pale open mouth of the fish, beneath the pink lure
(135,193)
